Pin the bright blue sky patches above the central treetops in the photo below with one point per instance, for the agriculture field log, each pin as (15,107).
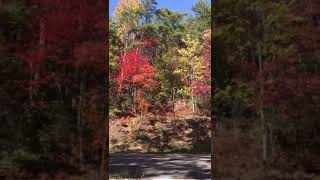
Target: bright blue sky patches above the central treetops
(182,6)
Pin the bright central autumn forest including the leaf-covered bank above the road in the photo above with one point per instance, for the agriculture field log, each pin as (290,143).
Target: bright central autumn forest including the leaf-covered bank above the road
(159,75)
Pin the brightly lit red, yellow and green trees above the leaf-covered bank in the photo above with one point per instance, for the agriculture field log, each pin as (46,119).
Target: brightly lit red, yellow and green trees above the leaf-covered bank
(158,57)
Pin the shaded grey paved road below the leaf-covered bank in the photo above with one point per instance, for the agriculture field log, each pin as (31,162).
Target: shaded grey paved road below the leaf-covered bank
(160,166)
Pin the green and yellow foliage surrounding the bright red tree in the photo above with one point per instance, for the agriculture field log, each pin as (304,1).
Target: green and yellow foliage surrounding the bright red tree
(174,53)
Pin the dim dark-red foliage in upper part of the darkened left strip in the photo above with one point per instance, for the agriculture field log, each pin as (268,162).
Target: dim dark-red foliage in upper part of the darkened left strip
(62,37)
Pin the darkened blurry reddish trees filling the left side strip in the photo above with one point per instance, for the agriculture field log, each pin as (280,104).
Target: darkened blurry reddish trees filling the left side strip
(53,87)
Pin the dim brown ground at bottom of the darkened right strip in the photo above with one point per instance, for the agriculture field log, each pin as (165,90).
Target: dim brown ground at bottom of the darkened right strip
(238,156)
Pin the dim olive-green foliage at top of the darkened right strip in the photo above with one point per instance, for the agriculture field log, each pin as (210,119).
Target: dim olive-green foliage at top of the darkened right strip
(248,24)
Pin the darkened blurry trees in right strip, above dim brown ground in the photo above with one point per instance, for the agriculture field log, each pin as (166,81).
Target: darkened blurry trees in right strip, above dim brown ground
(266,77)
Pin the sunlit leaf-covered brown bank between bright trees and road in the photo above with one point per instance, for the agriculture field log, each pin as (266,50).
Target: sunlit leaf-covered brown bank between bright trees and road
(160,134)
